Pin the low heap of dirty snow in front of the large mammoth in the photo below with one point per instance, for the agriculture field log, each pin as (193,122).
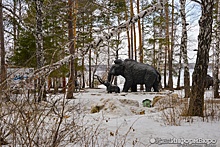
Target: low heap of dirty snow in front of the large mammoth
(119,107)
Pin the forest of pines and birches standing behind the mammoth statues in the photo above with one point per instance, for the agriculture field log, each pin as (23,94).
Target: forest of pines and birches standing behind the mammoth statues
(61,41)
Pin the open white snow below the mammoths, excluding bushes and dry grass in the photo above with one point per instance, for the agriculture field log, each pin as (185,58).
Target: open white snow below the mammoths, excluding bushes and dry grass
(122,118)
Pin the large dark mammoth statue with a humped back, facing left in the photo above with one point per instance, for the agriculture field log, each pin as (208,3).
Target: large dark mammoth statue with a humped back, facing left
(135,73)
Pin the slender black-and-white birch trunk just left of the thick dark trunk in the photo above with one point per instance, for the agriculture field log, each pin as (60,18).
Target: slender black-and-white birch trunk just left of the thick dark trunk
(183,49)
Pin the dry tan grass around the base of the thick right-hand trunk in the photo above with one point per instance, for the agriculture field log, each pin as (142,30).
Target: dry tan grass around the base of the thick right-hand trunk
(174,109)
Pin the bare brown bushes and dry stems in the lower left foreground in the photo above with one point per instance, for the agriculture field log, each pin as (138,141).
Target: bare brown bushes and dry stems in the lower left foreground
(56,122)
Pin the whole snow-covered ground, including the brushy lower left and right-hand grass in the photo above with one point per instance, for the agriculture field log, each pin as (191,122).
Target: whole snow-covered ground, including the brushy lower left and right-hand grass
(114,120)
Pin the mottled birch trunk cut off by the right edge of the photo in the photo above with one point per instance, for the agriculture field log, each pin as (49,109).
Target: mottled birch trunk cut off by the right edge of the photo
(216,54)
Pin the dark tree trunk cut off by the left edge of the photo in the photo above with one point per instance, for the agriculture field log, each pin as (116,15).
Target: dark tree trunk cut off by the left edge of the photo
(3,70)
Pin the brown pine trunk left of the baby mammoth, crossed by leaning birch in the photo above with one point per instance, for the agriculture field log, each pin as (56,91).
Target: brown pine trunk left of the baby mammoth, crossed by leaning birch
(71,82)
